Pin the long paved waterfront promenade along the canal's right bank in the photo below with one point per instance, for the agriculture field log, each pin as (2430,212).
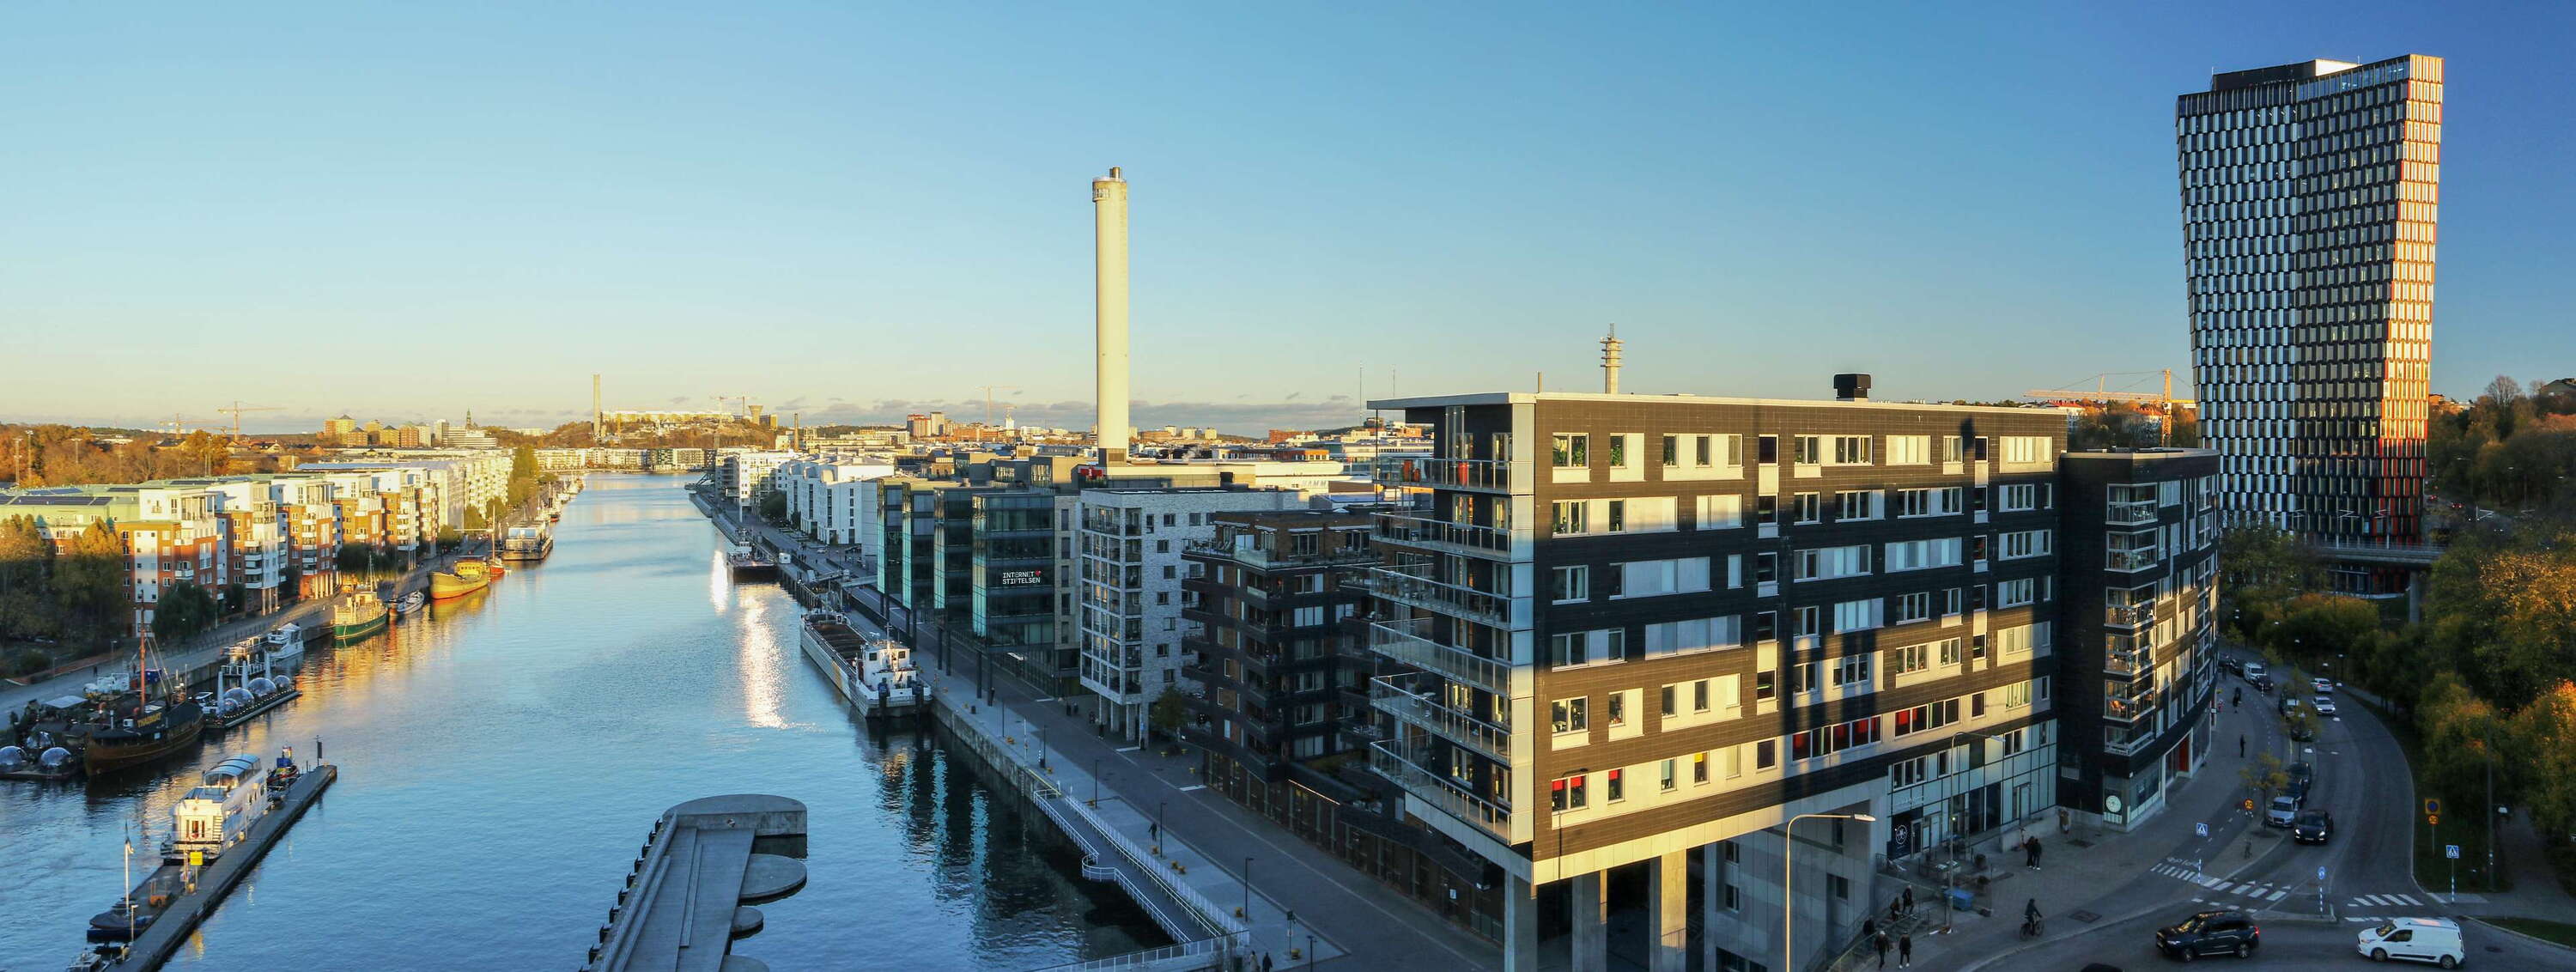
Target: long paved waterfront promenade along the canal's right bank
(1354,919)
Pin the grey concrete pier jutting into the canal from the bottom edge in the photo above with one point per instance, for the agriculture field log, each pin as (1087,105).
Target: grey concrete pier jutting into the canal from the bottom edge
(694,886)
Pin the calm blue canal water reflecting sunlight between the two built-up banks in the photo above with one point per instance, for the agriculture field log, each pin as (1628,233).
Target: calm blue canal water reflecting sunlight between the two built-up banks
(506,757)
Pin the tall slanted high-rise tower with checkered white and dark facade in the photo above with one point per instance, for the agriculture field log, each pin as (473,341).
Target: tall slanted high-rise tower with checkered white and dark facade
(2309,205)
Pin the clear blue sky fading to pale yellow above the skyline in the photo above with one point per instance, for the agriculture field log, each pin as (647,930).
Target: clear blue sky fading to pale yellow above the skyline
(854,213)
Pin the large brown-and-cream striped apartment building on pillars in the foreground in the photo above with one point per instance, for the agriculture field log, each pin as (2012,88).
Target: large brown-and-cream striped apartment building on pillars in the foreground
(1650,630)
